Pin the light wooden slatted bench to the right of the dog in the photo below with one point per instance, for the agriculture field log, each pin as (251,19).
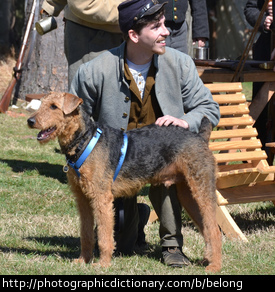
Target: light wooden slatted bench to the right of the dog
(244,175)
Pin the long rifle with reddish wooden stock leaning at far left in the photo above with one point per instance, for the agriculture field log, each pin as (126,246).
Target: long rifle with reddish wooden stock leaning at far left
(6,98)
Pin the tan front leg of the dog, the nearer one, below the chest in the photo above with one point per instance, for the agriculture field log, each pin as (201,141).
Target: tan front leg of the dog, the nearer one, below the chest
(104,216)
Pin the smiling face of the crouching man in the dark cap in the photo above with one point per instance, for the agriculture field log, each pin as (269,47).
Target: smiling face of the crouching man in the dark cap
(152,37)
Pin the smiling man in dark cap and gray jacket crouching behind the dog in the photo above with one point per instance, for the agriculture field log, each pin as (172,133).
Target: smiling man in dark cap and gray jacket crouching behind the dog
(139,83)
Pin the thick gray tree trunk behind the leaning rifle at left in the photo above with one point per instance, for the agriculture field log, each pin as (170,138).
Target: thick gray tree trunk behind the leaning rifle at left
(45,66)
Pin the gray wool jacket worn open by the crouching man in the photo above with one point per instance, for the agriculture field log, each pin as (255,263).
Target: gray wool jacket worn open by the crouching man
(179,90)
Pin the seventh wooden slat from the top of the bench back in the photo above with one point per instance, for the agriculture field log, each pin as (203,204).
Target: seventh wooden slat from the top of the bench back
(240,156)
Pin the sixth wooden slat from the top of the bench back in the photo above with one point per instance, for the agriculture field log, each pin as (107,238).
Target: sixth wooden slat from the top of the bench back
(241,144)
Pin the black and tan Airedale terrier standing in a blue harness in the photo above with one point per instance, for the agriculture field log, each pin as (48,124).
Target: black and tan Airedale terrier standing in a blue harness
(155,155)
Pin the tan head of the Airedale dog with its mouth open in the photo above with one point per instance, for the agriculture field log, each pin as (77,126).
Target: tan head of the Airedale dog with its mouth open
(53,115)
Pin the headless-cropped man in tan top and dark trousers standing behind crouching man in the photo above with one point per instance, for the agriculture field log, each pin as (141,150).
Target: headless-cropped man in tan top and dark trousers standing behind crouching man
(90,28)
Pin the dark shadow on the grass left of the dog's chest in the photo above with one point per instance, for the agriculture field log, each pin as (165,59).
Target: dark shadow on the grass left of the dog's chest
(44,168)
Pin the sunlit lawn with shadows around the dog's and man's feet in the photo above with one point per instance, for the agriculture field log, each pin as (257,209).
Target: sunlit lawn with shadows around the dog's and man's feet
(40,227)
